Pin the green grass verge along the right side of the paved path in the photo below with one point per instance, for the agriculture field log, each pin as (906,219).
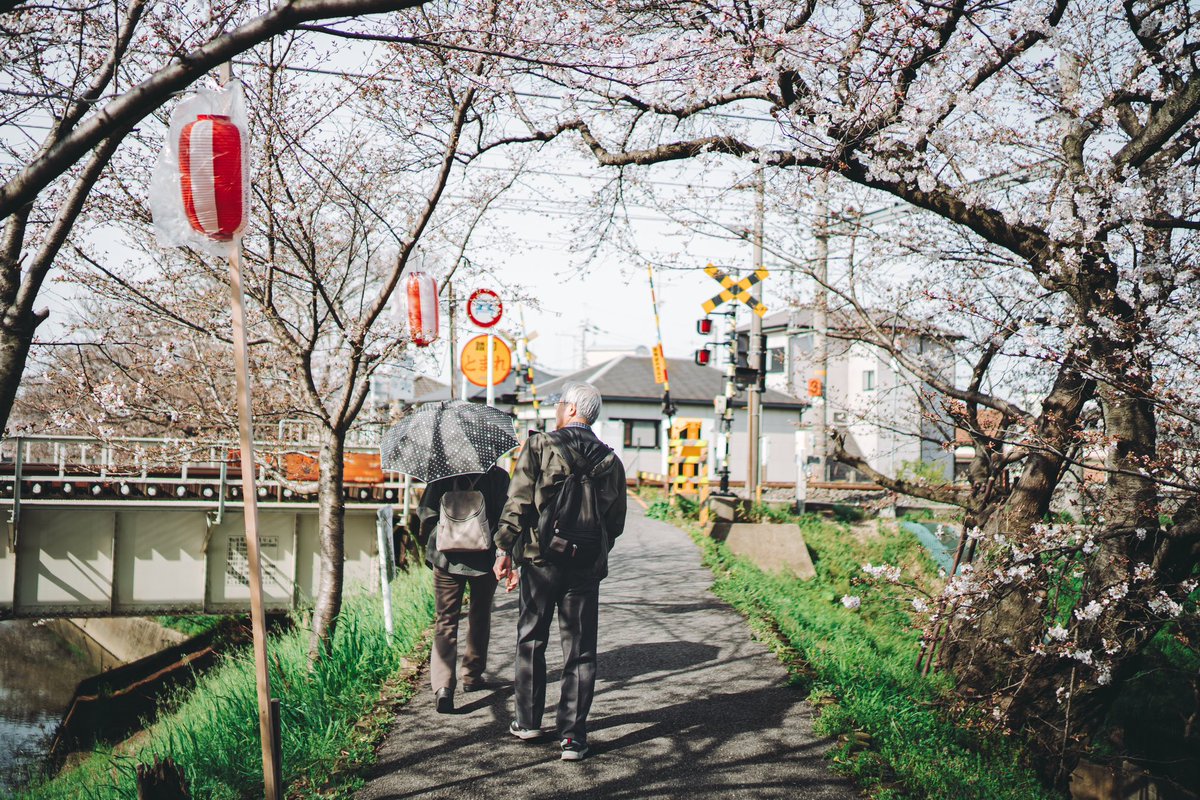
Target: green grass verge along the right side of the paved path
(897,732)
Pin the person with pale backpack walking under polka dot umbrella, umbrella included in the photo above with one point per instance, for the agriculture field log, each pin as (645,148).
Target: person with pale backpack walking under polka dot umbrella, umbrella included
(453,447)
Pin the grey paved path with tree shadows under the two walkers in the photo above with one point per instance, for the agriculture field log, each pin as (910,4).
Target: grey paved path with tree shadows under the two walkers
(688,706)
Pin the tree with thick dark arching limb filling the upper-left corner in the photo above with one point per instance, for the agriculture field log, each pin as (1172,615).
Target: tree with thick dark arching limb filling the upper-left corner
(76,81)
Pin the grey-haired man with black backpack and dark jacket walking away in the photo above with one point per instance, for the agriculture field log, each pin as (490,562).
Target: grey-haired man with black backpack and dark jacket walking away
(566,509)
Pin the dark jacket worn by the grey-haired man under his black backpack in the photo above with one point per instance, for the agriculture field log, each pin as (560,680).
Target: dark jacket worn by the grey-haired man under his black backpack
(539,471)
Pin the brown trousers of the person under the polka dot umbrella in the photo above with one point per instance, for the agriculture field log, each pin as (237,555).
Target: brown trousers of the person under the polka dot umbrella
(448,592)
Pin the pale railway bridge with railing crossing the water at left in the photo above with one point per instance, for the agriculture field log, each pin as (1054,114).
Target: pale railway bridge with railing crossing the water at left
(140,527)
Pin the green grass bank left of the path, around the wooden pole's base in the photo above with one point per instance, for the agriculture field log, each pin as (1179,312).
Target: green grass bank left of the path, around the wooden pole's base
(331,714)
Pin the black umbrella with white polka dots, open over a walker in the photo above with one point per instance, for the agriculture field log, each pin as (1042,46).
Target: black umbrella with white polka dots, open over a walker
(448,438)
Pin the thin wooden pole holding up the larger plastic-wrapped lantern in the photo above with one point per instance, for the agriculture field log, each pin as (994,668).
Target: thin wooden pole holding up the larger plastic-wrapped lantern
(272,763)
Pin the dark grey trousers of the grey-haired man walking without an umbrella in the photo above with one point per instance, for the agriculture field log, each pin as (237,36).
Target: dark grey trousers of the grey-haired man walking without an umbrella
(577,598)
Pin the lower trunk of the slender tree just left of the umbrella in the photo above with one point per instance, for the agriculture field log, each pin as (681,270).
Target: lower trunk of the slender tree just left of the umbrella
(332,501)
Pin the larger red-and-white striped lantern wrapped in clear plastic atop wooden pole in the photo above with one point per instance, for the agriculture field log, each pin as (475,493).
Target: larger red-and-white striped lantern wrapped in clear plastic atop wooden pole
(211,177)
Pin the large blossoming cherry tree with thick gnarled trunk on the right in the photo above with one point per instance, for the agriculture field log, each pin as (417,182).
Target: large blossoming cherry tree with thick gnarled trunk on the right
(1051,151)
